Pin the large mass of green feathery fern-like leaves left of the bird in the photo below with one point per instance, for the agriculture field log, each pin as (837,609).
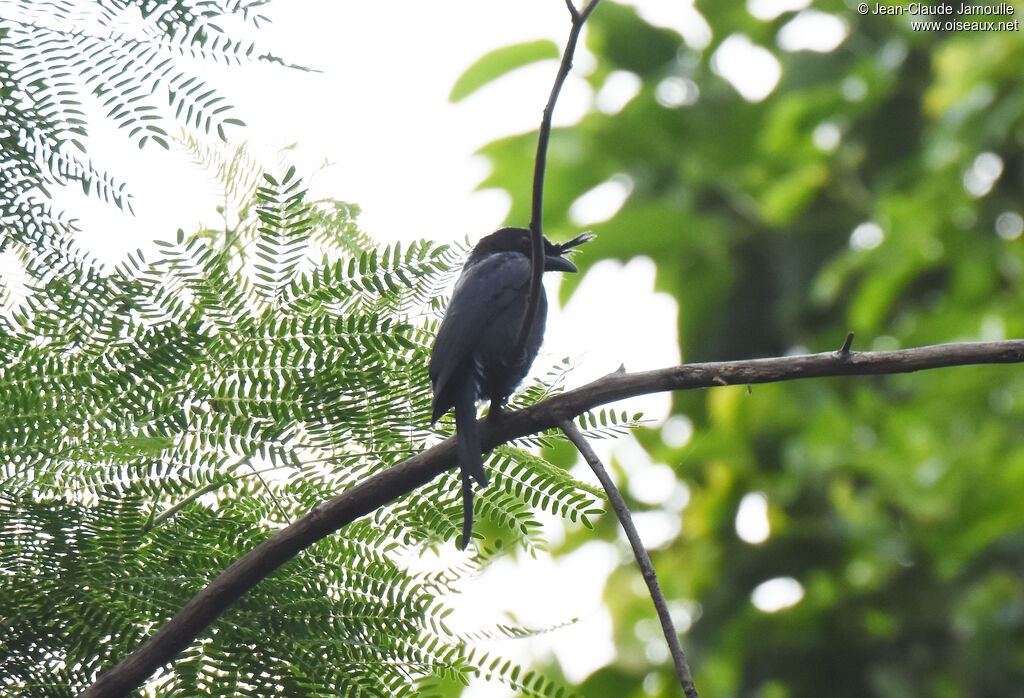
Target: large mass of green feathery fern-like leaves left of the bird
(159,421)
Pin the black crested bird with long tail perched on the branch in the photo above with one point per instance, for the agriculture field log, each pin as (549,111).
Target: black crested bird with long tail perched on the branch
(472,357)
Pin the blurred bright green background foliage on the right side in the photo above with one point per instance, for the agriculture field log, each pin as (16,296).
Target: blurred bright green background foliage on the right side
(895,502)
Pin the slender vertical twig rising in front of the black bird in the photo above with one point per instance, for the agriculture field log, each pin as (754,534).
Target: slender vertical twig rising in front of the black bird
(540,165)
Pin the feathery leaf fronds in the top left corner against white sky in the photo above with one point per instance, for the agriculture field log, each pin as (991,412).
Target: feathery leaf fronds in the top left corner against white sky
(135,63)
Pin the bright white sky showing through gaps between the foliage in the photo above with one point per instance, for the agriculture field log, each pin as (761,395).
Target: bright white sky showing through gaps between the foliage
(378,112)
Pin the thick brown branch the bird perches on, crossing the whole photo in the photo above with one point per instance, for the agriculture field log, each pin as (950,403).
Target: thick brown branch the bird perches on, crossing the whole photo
(365,498)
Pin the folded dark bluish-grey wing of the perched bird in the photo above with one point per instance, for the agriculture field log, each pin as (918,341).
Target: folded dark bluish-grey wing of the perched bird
(489,297)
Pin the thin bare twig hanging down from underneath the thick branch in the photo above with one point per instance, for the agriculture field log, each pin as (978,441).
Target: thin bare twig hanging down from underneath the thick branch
(639,552)
